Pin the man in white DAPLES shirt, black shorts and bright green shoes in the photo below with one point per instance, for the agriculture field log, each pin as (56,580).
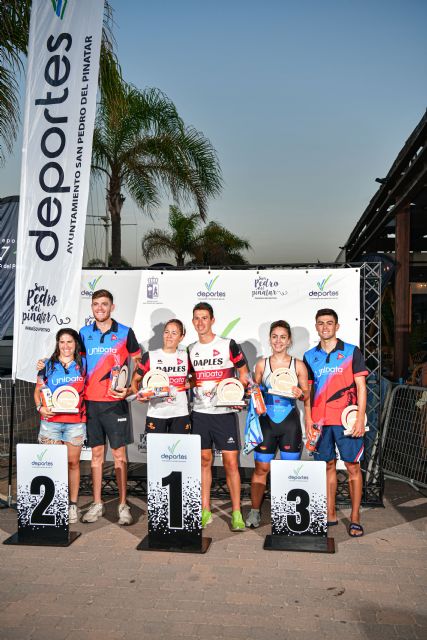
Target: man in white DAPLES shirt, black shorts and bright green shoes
(213,359)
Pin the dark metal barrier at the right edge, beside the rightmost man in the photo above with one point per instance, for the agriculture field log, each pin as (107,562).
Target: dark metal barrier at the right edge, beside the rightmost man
(404,439)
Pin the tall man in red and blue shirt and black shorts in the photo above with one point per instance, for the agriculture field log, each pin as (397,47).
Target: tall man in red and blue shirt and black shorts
(107,344)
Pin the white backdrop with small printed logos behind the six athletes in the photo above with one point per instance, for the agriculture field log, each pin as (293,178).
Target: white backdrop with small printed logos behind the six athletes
(245,302)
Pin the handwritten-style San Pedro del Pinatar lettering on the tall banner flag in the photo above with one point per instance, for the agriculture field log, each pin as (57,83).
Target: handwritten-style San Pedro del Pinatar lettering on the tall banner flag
(40,305)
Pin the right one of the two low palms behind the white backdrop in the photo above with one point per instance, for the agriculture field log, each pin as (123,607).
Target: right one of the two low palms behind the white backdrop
(216,245)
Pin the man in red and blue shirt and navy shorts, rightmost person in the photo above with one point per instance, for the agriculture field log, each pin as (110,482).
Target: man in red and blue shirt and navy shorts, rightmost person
(337,373)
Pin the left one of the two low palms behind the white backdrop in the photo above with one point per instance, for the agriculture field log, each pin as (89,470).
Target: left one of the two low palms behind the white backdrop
(180,241)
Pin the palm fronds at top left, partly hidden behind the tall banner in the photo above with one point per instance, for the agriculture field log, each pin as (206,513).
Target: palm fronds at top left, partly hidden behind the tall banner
(14,31)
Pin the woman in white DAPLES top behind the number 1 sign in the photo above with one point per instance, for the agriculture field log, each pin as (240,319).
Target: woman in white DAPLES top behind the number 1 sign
(167,415)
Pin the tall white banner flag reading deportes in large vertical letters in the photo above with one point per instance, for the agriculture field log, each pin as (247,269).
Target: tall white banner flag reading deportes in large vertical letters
(60,104)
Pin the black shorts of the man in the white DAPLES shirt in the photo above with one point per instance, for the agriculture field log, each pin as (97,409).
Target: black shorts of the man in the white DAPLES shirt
(219,429)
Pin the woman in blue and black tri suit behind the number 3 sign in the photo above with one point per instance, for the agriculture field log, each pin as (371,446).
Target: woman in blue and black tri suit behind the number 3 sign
(280,425)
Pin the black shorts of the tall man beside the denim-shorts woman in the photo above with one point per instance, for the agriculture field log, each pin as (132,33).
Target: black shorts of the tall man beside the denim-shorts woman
(108,419)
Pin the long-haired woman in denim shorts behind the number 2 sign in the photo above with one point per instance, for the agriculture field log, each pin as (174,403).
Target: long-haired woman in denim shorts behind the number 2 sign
(65,368)
